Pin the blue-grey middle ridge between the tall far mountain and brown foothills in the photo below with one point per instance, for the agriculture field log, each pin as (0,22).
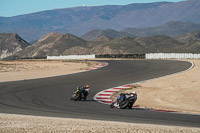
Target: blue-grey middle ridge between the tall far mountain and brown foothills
(172,29)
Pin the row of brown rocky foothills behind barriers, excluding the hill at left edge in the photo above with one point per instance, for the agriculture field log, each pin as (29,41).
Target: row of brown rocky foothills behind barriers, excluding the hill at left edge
(67,44)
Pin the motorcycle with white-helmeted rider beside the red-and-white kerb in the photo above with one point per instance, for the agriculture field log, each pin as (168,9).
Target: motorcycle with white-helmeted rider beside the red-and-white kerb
(124,102)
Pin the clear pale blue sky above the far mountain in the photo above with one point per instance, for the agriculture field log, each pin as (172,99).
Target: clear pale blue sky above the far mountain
(18,7)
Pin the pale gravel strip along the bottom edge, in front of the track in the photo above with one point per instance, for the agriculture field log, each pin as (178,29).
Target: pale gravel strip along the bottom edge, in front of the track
(10,123)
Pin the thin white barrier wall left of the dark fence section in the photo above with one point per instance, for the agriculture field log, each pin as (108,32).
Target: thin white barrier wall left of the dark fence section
(71,57)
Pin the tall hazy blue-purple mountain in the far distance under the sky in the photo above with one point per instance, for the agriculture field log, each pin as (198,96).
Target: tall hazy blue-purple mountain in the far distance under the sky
(80,20)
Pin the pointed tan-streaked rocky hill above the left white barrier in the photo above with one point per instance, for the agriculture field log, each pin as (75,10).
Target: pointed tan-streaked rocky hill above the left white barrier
(52,44)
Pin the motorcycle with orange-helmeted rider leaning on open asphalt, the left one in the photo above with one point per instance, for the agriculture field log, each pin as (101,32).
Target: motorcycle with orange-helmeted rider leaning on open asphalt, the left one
(80,94)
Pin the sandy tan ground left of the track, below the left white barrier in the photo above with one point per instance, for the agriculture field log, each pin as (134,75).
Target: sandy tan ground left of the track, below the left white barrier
(32,69)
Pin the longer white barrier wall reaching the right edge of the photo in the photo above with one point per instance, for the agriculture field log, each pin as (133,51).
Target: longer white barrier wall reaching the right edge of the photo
(172,56)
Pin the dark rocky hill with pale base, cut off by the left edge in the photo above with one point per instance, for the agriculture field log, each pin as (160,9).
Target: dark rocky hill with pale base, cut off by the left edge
(11,43)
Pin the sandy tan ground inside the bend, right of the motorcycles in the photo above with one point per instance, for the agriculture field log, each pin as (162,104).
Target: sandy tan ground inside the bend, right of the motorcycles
(179,92)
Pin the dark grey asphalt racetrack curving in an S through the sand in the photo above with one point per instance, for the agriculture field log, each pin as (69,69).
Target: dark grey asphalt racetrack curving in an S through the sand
(51,96)
